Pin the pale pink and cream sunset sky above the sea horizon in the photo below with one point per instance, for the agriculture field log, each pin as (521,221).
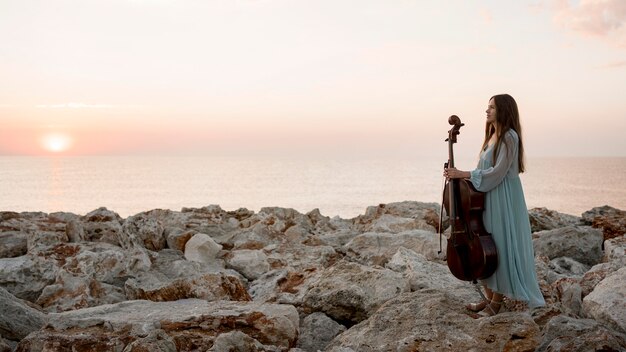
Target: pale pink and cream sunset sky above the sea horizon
(300,77)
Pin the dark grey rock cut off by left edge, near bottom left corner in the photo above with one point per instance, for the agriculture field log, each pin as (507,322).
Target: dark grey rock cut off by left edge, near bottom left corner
(18,319)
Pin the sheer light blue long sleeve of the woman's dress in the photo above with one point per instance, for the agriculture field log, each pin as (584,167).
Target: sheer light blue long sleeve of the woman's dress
(487,179)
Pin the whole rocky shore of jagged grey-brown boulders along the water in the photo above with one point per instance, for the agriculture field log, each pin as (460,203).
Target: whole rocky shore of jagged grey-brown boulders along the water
(206,279)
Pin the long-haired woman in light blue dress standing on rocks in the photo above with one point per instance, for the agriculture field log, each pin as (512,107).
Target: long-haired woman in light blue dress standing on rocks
(505,215)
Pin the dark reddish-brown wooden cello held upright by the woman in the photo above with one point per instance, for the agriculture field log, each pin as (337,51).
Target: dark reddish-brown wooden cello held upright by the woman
(470,252)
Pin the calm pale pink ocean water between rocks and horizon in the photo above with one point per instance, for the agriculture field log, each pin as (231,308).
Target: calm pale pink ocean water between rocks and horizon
(129,185)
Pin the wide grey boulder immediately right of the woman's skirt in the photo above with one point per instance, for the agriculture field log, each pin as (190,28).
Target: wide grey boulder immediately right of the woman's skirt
(581,243)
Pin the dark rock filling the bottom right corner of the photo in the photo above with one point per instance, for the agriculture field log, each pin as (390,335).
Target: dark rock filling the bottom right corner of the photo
(564,333)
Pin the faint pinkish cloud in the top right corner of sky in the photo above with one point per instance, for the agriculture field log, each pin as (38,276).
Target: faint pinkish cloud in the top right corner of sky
(604,19)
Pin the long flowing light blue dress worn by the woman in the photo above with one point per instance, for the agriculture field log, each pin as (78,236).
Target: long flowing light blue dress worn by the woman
(506,218)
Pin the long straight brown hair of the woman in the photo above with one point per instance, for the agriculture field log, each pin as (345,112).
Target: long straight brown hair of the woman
(507,117)
